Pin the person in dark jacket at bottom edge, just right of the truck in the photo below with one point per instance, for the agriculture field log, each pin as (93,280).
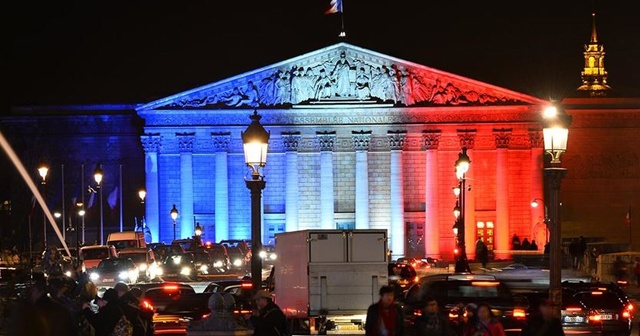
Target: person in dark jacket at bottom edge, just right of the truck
(385,317)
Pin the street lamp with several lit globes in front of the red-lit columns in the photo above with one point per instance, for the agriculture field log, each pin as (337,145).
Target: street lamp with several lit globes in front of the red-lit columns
(462,167)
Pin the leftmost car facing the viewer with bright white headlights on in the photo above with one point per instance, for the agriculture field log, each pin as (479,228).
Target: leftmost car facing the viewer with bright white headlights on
(113,270)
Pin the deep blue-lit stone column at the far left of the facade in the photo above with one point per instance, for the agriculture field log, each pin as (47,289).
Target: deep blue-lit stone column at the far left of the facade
(151,144)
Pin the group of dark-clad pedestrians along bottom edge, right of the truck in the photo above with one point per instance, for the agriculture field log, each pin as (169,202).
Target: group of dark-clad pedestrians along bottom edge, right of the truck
(385,318)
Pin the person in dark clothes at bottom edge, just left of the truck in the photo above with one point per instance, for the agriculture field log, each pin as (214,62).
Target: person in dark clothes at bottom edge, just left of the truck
(268,319)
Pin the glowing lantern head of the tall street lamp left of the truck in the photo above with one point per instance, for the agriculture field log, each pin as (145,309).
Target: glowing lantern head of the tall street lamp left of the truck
(256,142)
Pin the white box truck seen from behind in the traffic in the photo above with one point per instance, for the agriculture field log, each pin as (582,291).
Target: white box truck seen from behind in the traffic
(326,279)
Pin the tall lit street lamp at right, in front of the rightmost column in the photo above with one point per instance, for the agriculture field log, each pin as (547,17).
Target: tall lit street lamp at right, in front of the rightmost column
(555,132)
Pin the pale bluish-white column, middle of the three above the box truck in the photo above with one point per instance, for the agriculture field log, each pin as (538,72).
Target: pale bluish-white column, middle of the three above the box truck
(327,141)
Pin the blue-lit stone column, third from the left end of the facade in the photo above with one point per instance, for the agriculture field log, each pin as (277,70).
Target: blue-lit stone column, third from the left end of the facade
(221,193)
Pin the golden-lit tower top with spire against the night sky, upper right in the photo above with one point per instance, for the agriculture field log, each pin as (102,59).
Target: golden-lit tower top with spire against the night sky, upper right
(594,75)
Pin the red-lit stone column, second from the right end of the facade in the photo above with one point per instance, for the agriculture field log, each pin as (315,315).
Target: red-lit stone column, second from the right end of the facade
(502,229)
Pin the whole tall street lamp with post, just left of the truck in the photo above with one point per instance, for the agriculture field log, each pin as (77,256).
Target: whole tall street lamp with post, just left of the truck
(256,142)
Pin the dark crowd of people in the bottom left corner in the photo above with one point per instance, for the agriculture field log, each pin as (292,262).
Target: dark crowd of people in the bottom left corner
(63,307)
